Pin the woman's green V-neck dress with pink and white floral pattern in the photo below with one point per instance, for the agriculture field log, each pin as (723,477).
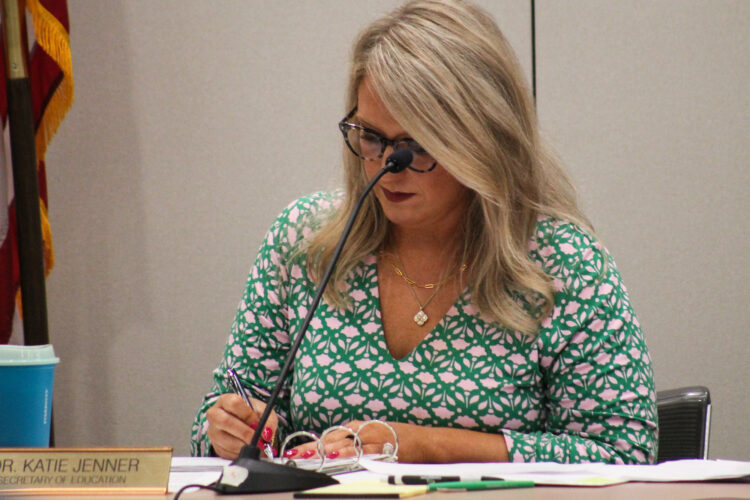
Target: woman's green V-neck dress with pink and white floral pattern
(581,391)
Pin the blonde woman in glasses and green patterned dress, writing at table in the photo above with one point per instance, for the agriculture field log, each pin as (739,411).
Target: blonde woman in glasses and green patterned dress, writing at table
(472,309)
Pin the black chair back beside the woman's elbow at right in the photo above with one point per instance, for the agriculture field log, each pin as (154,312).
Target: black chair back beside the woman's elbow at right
(684,423)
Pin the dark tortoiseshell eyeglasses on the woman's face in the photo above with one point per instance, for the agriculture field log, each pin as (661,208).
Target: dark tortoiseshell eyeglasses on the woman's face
(370,145)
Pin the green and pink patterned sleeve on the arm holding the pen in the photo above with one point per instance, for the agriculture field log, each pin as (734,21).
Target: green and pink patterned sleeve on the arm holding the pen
(258,342)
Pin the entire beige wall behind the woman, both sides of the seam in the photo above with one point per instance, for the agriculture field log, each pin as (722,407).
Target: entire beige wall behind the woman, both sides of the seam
(196,122)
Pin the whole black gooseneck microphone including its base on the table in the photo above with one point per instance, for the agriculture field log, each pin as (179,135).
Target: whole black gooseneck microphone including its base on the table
(249,474)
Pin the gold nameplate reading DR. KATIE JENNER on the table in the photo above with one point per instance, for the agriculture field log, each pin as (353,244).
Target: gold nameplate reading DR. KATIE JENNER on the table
(65,470)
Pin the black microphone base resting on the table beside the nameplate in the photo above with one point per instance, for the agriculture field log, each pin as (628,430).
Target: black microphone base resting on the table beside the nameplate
(248,475)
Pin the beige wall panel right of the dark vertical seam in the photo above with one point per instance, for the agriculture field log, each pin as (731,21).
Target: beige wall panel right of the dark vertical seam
(648,103)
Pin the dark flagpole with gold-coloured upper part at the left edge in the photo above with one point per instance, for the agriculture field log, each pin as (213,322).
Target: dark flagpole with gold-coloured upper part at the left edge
(25,177)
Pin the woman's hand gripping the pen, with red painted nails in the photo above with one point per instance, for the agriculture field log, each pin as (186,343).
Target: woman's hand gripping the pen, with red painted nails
(231,425)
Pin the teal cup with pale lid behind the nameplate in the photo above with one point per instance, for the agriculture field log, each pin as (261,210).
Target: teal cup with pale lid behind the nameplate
(26,379)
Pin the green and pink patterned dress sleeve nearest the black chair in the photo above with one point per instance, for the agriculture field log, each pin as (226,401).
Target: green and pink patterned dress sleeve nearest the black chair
(599,394)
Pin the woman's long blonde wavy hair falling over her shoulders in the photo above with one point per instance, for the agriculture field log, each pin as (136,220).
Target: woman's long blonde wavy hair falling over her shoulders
(448,76)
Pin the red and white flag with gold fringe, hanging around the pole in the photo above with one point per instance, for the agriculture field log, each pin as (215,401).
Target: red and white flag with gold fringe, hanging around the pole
(51,79)
